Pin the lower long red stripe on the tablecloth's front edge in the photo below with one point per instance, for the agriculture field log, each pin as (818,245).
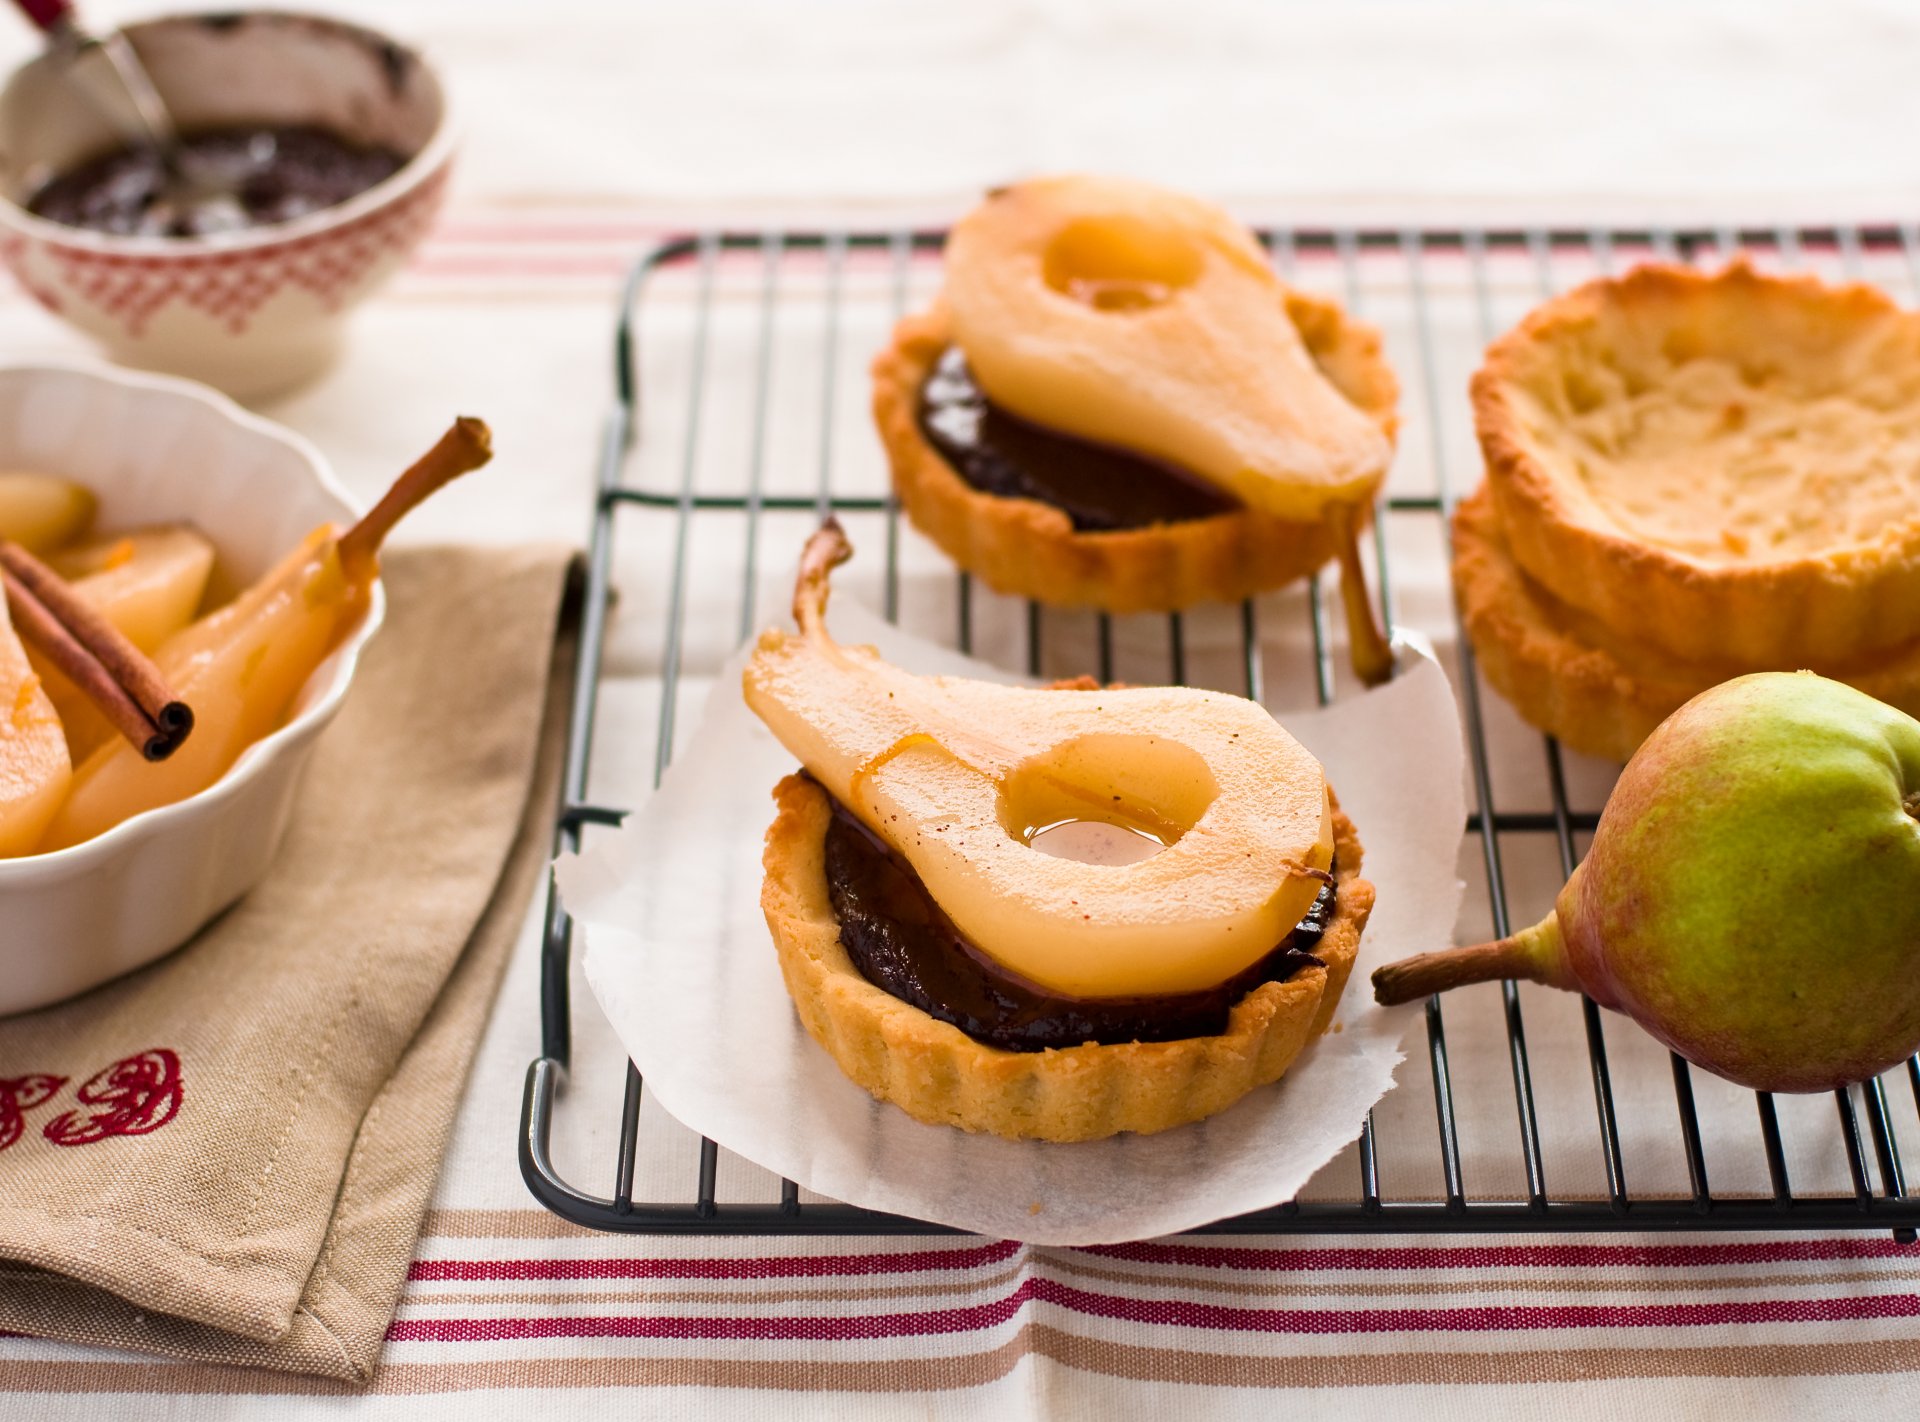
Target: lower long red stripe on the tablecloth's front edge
(1174,1314)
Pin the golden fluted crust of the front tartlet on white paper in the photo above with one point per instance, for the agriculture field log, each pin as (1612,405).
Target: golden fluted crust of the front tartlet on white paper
(938,1074)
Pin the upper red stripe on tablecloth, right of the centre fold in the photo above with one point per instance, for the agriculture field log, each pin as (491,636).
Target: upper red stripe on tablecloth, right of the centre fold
(1510,1256)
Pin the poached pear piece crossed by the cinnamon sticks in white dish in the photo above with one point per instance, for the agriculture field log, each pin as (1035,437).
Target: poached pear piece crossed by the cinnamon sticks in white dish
(149,586)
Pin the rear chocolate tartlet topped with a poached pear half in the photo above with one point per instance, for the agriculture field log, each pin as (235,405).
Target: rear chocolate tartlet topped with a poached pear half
(1143,327)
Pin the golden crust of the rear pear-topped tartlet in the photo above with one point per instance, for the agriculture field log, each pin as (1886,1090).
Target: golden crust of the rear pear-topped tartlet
(1032,550)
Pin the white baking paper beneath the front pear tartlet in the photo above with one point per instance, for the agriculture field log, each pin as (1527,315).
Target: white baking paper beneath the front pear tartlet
(681,960)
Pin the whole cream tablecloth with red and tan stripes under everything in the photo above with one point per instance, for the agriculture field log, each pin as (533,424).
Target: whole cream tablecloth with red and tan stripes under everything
(756,108)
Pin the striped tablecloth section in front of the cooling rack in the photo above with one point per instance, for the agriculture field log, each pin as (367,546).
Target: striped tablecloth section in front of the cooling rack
(510,1314)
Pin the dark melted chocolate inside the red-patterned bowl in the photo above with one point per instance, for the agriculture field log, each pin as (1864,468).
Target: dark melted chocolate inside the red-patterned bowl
(256,176)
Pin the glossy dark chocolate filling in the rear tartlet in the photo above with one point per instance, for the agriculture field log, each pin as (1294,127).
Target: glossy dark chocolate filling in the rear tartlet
(1097,486)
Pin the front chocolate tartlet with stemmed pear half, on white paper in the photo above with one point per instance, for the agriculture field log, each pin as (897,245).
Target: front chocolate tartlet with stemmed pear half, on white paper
(1130,993)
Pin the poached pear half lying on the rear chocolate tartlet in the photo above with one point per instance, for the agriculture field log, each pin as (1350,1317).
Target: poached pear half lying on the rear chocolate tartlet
(1141,318)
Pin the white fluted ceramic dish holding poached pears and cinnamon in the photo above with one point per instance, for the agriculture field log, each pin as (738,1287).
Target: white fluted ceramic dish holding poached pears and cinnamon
(162,450)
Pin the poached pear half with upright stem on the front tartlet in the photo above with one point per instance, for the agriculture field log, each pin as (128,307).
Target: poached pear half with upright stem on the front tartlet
(959,778)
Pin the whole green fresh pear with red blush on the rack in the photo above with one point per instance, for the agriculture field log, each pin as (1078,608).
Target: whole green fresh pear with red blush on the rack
(1754,891)
